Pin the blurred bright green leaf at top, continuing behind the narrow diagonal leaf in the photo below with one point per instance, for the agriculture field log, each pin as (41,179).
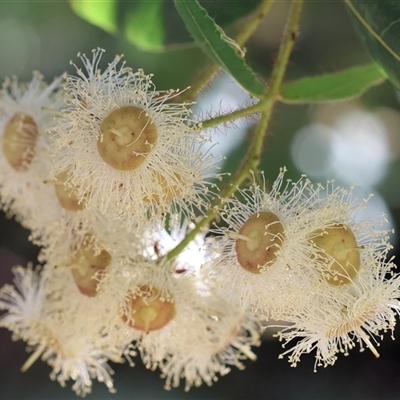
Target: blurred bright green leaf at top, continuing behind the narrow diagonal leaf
(155,25)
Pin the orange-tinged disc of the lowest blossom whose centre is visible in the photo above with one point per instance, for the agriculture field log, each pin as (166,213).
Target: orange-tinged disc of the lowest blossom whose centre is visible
(148,311)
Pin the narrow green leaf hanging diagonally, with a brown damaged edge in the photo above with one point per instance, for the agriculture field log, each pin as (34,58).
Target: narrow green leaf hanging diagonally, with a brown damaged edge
(216,45)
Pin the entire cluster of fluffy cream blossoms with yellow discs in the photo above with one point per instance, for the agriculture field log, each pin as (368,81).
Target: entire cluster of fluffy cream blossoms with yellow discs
(109,175)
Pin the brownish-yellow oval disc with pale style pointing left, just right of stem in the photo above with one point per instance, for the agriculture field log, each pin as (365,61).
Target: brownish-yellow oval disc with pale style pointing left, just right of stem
(258,241)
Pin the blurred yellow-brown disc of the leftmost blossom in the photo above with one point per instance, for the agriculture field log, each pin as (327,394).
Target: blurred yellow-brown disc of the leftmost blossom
(19,140)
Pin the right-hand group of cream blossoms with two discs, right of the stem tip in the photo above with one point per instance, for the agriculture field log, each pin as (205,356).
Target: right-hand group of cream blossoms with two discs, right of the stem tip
(298,255)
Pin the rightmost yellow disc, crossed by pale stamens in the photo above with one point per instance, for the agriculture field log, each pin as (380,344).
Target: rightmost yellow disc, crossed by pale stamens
(340,252)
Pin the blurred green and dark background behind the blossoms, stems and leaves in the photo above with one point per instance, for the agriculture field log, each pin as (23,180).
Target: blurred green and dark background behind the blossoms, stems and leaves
(353,142)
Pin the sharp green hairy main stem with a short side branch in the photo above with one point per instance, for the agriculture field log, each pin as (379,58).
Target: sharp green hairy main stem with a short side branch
(265,106)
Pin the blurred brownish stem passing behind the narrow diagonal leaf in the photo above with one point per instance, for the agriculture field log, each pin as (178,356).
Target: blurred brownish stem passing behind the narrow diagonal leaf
(251,24)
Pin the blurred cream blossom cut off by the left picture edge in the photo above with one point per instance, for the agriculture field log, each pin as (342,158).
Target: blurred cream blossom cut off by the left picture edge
(24,160)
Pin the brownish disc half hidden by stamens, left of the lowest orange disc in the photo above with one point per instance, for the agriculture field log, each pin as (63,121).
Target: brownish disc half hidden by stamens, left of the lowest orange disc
(85,265)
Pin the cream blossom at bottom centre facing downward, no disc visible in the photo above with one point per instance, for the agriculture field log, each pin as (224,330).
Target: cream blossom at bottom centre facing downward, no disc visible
(217,337)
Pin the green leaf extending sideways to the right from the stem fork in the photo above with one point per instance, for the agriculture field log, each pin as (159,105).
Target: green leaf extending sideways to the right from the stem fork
(344,85)
